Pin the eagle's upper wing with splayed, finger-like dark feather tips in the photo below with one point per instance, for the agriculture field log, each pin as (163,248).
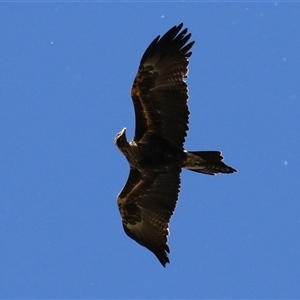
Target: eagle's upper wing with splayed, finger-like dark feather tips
(159,92)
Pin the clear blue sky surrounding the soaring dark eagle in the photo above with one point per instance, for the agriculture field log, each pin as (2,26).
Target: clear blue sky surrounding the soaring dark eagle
(65,77)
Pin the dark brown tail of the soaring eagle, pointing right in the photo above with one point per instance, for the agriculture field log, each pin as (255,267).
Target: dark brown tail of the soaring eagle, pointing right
(207,162)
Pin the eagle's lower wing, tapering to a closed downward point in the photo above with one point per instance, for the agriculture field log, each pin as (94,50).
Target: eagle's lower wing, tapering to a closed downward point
(146,205)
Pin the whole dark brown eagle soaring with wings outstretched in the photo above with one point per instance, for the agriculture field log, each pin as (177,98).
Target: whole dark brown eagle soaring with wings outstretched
(156,155)
